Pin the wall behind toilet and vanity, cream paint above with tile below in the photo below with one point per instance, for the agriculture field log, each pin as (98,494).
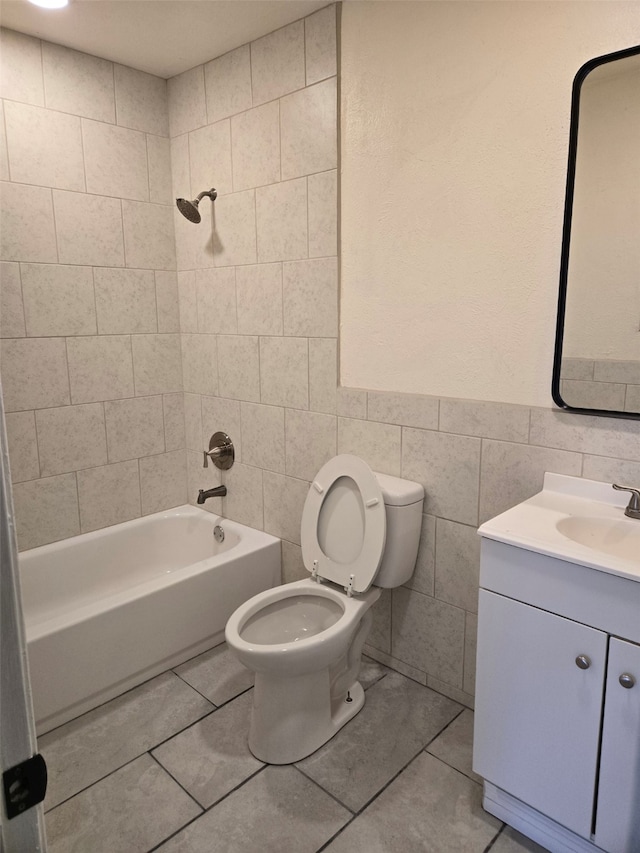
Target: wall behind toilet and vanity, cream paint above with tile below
(455,121)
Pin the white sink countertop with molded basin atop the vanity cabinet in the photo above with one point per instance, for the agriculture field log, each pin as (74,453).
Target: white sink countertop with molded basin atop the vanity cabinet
(574,519)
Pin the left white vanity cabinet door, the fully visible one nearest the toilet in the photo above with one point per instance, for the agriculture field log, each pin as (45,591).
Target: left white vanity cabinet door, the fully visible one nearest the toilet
(537,719)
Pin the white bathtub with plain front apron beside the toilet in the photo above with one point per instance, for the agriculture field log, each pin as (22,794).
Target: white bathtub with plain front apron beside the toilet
(107,610)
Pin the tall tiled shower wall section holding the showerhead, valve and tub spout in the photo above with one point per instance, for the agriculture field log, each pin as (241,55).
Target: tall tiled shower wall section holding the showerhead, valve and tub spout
(258,278)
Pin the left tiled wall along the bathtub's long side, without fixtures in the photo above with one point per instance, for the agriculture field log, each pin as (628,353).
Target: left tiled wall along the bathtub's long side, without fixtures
(90,364)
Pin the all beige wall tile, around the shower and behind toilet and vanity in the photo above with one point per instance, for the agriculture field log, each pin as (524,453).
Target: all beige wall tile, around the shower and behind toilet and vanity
(95,379)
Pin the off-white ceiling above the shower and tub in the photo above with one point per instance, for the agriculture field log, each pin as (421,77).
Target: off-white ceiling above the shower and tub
(162,37)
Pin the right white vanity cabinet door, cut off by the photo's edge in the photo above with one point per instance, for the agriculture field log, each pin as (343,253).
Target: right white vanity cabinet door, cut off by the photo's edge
(618,808)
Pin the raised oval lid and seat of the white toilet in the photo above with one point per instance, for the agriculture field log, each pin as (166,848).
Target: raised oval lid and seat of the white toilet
(344,523)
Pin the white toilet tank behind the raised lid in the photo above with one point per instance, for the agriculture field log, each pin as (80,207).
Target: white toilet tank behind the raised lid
(403,501)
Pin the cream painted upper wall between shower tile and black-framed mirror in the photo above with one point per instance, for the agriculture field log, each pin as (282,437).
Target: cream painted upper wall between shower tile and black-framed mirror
(455,120)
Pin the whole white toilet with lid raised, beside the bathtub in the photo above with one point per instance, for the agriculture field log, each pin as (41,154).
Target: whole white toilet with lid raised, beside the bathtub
(359,533)
